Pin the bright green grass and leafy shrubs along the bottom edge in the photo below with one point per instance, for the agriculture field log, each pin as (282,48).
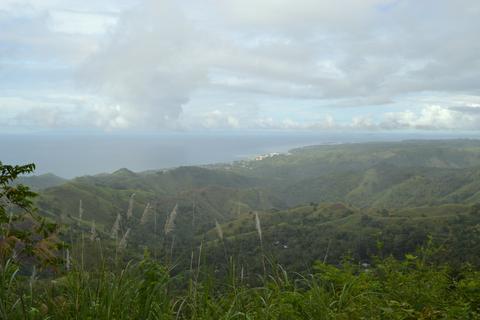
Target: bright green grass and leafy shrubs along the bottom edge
(391,289)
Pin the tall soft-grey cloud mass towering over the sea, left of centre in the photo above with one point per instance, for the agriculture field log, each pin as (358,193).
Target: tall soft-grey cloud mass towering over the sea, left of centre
(150,66)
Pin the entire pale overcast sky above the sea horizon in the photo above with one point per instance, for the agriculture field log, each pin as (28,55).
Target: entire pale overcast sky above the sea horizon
(125,65)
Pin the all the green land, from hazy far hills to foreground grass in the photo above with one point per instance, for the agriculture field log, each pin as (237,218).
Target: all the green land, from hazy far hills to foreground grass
(360,231)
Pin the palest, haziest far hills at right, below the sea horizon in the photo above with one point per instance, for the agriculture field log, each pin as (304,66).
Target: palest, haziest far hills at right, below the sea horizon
(410,173)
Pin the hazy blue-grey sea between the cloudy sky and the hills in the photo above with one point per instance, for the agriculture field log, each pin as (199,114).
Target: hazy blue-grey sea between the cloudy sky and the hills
(70,155)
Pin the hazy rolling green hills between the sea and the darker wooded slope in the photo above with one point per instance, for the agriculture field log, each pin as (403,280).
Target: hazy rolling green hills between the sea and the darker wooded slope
(382,175)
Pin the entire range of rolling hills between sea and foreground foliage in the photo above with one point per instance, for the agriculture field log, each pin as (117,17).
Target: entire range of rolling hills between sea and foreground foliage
(341,197)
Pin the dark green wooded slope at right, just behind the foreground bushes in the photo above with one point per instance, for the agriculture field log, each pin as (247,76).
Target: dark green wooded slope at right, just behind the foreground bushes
(299,236)
